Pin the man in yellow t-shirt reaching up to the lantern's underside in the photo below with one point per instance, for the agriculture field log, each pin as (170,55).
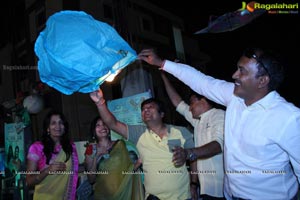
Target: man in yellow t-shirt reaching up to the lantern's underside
(163,178)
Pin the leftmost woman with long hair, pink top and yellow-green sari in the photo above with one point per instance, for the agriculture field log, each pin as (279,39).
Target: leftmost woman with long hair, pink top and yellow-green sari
(52,163)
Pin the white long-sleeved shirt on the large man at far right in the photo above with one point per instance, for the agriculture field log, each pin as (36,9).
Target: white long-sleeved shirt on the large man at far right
(262,141)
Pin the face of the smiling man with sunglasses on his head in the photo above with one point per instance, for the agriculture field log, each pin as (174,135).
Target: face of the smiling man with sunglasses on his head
(246,83)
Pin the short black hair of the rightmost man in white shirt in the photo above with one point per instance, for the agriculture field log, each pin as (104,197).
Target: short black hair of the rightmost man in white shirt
(268,64)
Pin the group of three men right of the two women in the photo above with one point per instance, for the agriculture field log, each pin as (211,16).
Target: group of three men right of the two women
(258,137)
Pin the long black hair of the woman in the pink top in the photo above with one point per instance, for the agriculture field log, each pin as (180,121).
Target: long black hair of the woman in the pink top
(47,141)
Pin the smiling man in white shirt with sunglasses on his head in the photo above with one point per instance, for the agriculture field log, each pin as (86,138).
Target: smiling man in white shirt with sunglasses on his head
(262,129)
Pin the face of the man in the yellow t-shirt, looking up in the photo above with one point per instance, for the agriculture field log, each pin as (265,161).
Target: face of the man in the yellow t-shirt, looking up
(150,113)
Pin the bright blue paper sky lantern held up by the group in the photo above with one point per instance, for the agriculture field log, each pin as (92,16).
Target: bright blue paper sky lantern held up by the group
(77,52)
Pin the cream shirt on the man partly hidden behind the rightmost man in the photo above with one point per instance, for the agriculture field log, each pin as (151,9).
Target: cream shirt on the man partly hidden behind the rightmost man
(209,128)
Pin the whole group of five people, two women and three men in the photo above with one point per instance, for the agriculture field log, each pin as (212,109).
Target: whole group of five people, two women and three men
(248,151)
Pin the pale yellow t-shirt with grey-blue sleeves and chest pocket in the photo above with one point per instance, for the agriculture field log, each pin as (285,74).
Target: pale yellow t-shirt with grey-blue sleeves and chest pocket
(161,177)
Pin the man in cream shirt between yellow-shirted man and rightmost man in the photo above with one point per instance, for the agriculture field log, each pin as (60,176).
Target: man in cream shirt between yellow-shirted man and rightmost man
(208,123)
